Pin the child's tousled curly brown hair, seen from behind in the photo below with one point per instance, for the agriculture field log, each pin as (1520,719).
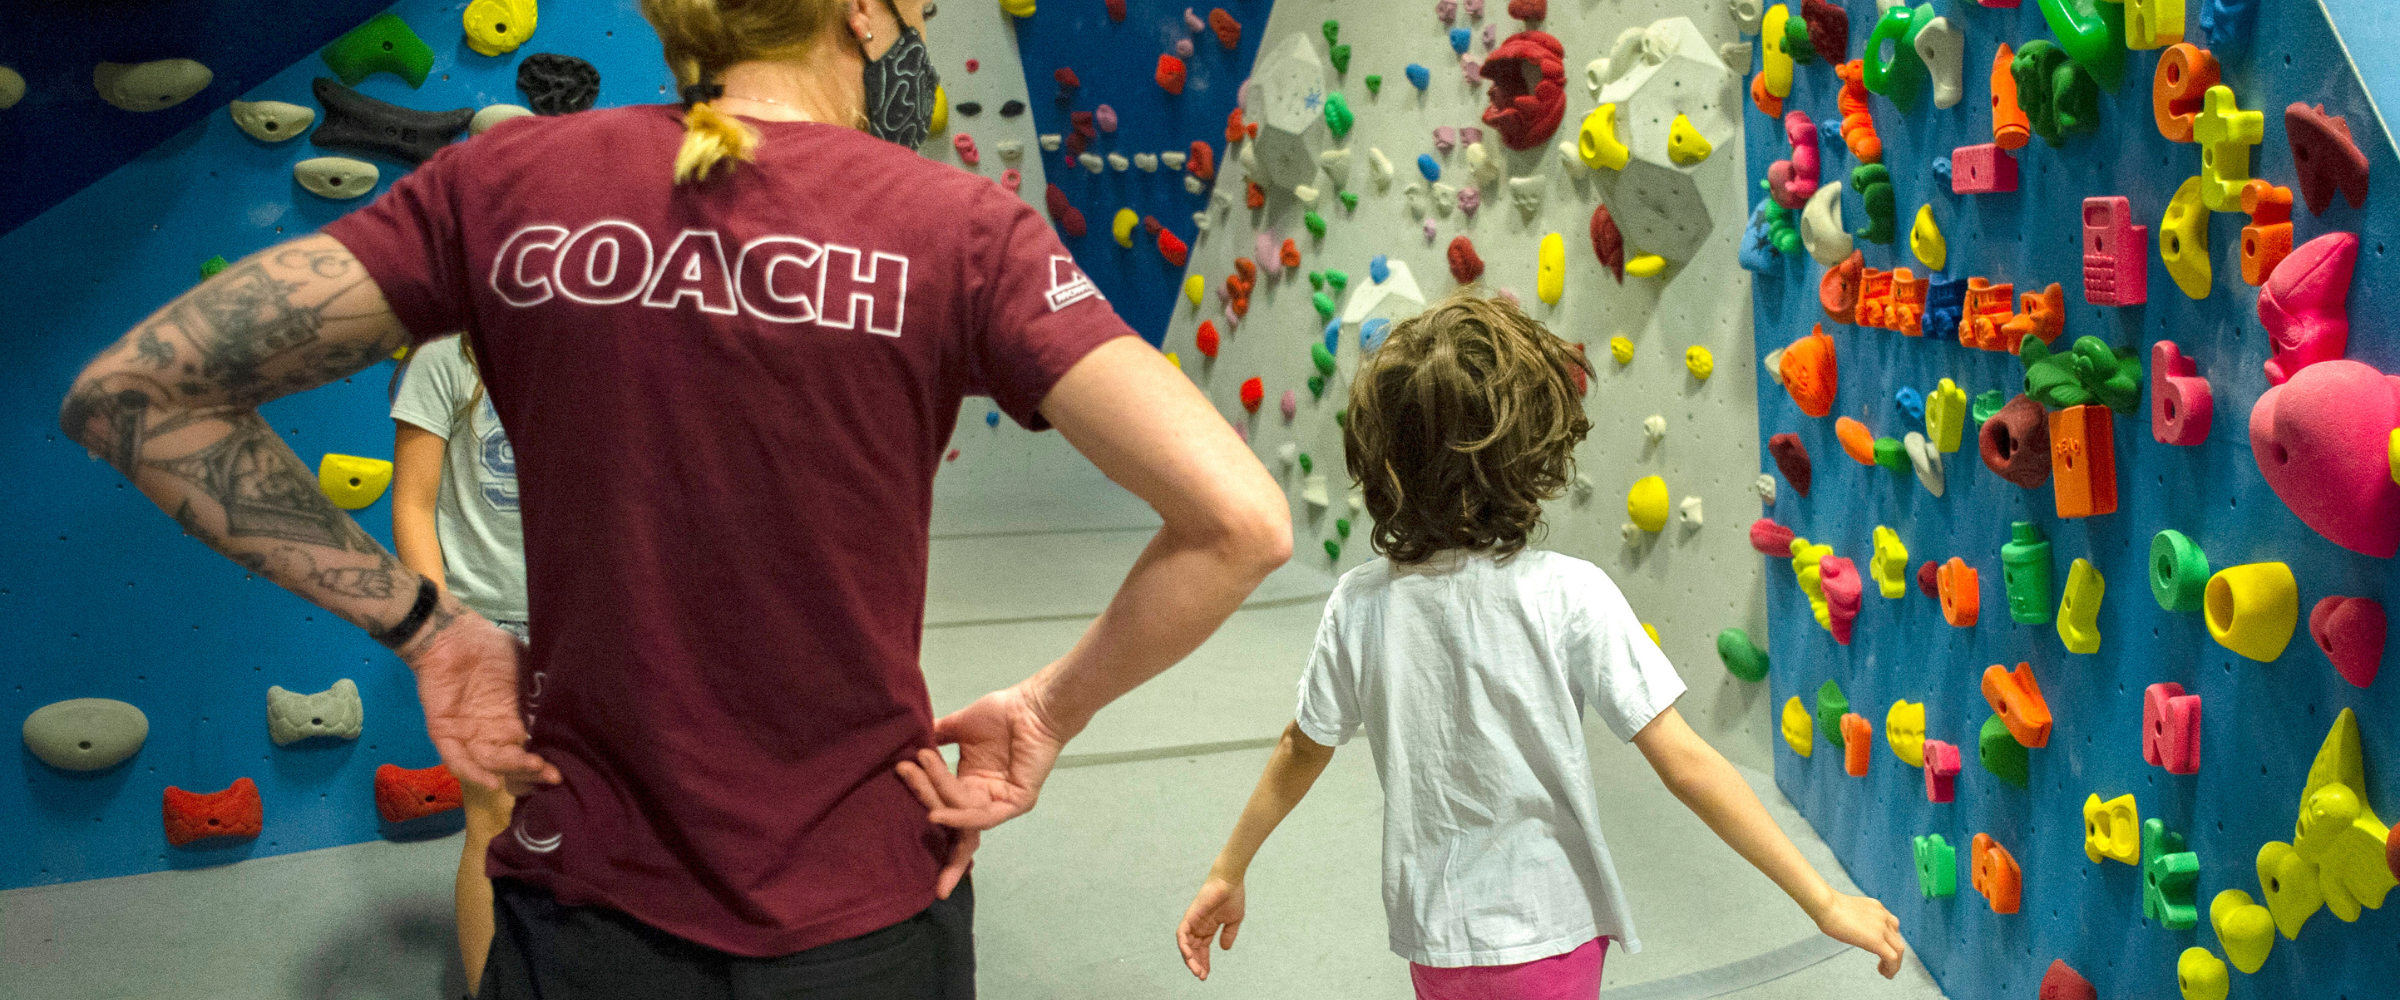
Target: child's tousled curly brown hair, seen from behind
(1460,426)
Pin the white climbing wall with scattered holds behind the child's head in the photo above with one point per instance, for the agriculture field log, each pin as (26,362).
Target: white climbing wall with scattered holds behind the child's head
(1686,582)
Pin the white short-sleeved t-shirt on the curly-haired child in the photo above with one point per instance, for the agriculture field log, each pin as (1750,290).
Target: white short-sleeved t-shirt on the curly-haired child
(1470,677)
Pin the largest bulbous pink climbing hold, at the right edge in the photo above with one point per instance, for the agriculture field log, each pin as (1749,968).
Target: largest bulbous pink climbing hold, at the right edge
(2322,442)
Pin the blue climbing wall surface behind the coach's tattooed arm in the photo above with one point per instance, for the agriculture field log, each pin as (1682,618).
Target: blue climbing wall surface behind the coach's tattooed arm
(100,594)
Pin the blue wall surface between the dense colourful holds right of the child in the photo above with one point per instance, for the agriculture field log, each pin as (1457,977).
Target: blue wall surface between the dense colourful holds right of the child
(2262,723)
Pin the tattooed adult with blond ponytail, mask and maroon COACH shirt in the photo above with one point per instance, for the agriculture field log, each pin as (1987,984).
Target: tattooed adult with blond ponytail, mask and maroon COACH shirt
(728,339)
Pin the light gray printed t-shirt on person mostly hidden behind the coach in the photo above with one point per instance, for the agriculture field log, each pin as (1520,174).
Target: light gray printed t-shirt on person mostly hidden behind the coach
(484,543)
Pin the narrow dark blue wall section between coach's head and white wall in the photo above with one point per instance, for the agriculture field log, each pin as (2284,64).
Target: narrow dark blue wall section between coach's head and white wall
(1115,64)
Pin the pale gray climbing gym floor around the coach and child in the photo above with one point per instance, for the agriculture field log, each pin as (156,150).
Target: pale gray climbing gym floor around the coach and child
(1076,900)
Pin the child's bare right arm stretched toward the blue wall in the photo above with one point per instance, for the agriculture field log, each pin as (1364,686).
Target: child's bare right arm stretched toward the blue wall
(1712,790)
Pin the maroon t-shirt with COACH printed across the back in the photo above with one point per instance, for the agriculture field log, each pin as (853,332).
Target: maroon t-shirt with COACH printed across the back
(728,404)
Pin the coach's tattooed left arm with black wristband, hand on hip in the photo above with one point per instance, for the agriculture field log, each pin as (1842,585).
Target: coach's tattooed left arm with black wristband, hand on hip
(174,406)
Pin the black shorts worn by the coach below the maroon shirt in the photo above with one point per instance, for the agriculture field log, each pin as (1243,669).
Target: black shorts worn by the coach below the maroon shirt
(544,951)
